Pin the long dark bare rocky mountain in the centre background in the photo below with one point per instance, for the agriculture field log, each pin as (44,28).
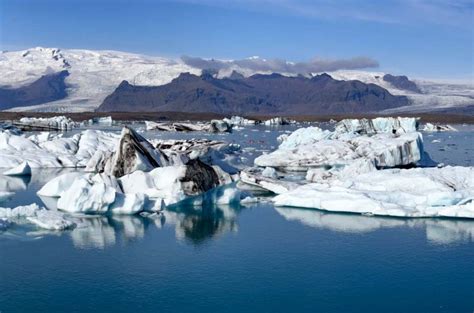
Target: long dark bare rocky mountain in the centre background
(257,94)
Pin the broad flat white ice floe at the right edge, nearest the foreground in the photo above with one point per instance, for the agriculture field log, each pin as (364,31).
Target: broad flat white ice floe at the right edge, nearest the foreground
(420,192)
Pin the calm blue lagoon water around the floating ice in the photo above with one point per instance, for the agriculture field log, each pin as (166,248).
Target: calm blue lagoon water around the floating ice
(243,259)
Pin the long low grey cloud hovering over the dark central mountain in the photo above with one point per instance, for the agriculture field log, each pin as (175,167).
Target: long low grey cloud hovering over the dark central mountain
(256,64)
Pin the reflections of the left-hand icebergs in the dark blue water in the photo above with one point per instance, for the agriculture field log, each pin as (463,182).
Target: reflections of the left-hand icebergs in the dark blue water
(193,224)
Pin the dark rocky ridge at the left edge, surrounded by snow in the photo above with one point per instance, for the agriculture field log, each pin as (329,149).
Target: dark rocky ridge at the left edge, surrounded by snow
(46,89)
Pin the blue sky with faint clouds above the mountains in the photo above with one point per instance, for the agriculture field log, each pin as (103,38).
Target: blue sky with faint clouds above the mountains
(419,38)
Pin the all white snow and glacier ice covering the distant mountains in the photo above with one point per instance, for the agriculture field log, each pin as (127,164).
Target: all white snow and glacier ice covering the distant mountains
(93,75)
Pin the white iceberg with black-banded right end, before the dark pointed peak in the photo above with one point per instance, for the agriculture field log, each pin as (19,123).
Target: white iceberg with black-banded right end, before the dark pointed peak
(140,191)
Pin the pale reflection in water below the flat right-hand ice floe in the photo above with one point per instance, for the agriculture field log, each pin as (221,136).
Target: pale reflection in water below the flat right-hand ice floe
(439,231)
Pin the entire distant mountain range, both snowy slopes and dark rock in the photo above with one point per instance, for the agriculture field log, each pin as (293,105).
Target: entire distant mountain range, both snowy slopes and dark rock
(50,79)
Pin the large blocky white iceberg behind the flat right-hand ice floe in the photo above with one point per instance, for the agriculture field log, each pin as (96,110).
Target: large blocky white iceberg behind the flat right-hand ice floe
(387,142)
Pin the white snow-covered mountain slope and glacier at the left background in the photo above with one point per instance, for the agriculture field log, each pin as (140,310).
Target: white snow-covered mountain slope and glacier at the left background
(92,74)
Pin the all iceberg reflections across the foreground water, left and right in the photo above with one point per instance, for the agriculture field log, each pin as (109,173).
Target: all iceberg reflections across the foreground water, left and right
(198,225)
